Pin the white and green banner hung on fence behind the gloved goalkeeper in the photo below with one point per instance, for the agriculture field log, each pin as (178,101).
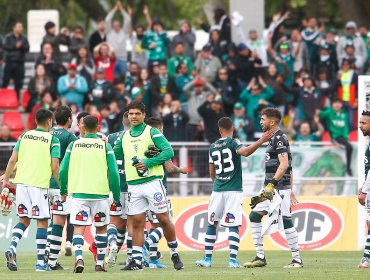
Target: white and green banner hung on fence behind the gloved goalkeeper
(308,161)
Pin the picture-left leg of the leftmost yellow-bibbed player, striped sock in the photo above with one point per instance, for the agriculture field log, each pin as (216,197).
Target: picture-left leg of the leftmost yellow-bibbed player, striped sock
(17,233)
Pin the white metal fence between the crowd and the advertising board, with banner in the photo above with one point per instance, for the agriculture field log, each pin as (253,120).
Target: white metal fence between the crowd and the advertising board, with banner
(319,169)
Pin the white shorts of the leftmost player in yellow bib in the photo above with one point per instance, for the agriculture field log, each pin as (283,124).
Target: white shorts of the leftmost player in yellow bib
(32,202)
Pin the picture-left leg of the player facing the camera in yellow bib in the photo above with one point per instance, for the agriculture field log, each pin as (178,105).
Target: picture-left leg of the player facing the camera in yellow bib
(138,224)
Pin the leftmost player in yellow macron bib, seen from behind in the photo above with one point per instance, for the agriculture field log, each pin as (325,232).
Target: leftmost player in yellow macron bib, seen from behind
(37,154)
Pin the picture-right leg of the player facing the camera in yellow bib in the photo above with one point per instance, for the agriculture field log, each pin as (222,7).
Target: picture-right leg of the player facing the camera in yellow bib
(170,234)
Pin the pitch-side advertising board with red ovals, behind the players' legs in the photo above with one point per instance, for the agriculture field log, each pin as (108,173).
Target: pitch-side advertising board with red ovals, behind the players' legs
(323,223)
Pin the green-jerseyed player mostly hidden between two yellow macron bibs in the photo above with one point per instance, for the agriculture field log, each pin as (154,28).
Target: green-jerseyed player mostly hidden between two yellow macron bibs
(60,210)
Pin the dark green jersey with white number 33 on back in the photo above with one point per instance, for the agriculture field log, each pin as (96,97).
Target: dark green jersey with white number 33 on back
(228,167)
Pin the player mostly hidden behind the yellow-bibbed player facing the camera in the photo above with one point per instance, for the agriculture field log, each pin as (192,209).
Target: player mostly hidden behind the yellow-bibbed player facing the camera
(156,232)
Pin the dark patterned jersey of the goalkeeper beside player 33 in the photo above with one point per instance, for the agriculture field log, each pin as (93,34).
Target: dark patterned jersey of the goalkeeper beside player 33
(278,145)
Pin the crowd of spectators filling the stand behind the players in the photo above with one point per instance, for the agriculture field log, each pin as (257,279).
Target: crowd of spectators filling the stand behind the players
(308,72)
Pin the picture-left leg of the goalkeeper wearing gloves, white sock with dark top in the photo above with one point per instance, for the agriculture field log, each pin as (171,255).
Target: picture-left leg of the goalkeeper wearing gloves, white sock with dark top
(256,226)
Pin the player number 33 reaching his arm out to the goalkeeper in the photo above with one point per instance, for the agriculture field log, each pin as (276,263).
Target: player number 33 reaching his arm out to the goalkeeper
(226,202)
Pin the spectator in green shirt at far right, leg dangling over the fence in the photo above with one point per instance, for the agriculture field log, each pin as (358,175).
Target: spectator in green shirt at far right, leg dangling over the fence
(336,120)
